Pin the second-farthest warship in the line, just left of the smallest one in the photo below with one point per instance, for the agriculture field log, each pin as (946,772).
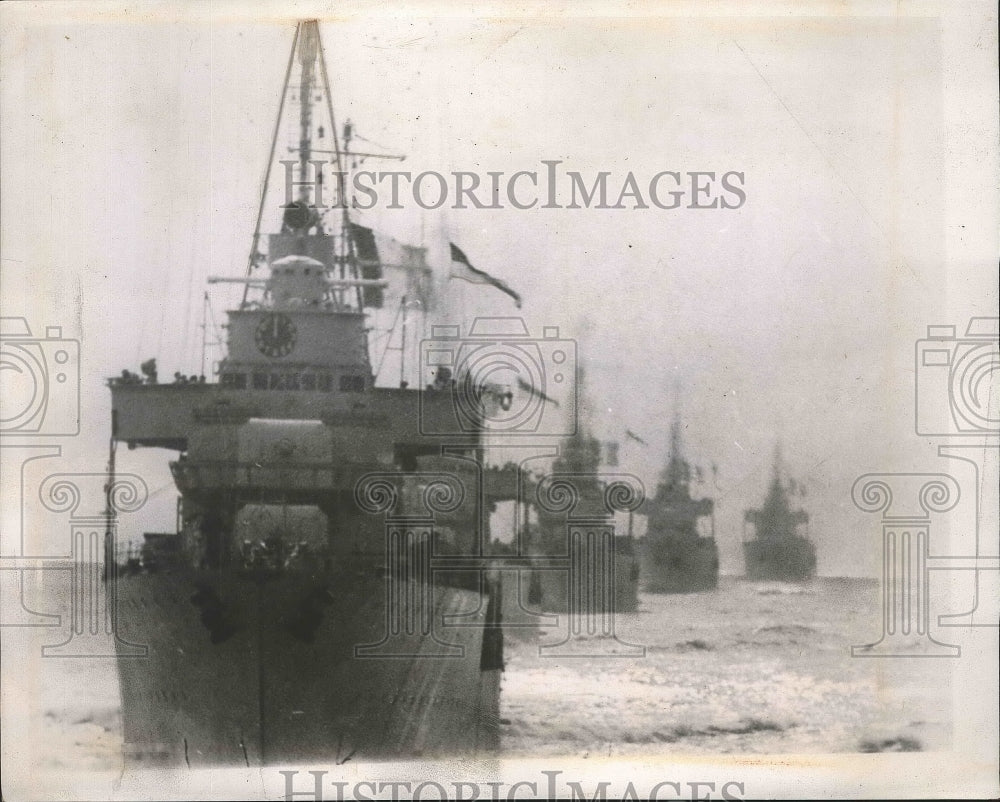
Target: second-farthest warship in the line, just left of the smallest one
(677,557)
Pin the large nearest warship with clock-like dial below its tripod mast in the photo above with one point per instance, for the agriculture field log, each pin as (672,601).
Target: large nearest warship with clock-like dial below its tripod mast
(292,616)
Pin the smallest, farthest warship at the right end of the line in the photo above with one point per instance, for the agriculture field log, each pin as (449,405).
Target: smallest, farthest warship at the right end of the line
(776,551)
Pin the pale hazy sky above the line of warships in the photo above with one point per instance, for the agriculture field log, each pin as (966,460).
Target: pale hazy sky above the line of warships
(134,148)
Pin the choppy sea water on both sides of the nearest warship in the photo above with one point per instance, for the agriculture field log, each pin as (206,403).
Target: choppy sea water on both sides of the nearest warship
(748,668)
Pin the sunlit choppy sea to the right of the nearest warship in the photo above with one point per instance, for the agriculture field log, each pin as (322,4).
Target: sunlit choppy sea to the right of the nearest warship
(751,667)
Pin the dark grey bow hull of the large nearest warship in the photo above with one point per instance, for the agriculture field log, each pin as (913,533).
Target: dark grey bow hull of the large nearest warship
(248,671)
